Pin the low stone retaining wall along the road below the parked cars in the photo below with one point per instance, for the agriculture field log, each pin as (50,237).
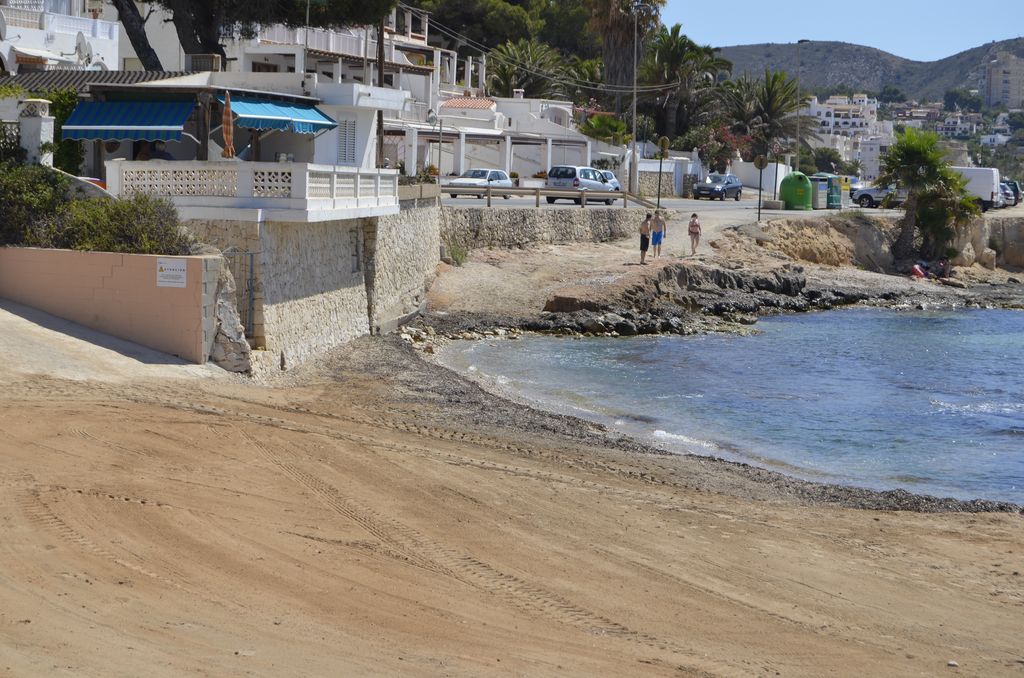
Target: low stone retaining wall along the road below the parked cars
(475,227)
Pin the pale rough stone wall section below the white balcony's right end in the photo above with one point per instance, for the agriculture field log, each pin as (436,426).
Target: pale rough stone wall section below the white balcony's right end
(401,260)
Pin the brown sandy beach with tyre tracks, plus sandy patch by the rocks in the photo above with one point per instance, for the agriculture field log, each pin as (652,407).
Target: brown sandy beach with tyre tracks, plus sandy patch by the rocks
(373,515)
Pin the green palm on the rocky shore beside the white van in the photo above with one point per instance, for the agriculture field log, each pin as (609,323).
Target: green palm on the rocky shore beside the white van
(916,164)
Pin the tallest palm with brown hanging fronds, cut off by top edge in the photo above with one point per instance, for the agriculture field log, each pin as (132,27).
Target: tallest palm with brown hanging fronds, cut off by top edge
(614,21)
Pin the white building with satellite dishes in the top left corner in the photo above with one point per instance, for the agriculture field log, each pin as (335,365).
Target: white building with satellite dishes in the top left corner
(47,35)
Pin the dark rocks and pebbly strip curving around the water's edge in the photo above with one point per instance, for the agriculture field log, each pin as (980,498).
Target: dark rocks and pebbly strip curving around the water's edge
(697,298)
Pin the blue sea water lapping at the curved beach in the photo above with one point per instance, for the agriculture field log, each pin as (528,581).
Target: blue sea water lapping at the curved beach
(932,403)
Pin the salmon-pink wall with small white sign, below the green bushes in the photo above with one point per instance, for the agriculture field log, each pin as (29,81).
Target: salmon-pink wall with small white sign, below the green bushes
(117,294)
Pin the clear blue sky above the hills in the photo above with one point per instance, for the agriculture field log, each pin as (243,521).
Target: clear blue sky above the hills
(901,27)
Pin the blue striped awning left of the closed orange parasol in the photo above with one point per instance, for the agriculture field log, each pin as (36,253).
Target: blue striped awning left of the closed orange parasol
(129,120)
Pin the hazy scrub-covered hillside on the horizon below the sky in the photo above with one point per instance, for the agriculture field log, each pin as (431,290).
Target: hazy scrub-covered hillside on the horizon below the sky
(831,64)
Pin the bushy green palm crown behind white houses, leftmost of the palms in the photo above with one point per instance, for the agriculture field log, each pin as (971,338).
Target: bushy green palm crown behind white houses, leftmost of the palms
(527,65)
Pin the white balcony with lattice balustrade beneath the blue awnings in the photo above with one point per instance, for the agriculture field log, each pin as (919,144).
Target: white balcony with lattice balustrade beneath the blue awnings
(260,192)
